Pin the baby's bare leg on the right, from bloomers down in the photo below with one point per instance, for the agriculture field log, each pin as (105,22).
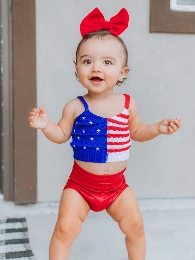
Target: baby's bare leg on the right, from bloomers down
(126,212)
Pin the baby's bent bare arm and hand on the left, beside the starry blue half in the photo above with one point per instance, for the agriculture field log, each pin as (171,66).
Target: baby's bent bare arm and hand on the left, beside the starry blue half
(57,133)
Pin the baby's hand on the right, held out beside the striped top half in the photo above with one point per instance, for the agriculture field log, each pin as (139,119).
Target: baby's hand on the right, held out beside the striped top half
(169,126)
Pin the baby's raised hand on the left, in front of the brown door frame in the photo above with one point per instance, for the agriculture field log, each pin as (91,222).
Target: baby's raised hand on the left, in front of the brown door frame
(38,118)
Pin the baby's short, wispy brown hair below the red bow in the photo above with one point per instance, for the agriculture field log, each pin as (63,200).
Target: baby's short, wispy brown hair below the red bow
(100,35)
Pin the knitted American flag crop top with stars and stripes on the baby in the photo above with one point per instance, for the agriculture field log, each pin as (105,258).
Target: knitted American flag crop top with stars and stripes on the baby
(99,139)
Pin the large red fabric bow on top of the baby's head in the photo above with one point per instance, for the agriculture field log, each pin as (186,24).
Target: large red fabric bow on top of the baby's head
(95,21)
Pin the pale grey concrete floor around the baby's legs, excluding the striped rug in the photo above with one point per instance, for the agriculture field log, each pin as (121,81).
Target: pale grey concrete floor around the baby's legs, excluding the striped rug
(169,226)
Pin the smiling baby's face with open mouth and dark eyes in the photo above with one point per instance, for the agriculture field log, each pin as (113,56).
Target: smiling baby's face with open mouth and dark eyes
(100,64)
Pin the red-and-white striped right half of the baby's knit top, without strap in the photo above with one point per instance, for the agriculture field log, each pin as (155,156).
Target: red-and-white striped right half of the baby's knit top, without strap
(118,137)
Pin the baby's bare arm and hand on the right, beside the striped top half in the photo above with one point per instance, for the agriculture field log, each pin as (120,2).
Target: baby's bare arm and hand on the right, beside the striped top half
(145,132)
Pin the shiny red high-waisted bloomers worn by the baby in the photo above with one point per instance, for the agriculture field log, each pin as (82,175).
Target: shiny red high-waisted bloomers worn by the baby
(99,191)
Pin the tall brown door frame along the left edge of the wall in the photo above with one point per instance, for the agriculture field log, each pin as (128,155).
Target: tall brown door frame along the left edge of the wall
(19,97)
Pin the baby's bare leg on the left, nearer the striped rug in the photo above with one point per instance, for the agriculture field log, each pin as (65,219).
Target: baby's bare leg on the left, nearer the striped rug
(72,212)
